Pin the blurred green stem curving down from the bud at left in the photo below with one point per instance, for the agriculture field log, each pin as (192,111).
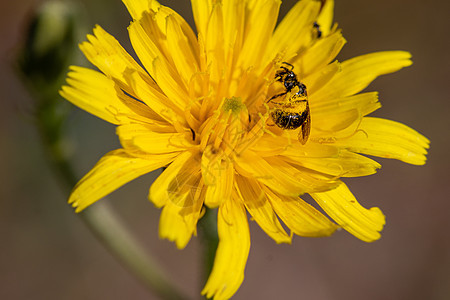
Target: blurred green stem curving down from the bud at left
(105,225)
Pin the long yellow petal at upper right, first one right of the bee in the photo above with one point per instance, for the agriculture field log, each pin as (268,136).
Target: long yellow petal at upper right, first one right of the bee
(357,73)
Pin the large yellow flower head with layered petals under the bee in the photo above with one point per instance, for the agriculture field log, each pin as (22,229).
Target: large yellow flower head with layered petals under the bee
(200,107)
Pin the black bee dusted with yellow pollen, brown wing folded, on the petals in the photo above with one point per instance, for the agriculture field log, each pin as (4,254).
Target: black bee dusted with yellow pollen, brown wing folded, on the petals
(293,111)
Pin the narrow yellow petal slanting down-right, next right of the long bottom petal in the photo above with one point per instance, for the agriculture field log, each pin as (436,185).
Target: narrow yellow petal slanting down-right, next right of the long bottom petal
(260,208)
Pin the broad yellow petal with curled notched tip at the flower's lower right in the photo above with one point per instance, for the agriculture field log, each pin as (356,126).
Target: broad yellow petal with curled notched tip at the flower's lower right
(341,206)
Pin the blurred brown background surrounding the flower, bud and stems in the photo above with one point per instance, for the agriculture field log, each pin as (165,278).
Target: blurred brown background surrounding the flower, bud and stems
(46,252)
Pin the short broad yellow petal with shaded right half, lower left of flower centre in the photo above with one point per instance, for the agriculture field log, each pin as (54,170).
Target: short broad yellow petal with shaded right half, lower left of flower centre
(179,180)
